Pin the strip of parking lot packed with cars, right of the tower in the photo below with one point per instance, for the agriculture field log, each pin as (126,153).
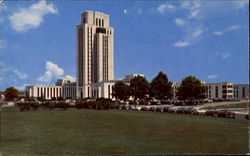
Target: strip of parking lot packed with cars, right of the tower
(238,113)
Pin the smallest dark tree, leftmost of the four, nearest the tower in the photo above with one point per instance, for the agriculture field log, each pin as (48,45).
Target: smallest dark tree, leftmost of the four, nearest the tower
(121,91)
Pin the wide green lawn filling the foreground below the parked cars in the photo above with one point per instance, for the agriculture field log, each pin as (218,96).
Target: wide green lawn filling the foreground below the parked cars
(92,132)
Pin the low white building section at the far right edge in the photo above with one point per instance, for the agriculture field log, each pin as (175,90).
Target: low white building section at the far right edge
(241,91)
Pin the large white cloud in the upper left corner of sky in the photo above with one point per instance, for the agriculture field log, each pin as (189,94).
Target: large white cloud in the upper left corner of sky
(28,18)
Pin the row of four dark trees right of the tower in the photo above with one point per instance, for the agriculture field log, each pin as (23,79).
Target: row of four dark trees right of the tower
(160,88)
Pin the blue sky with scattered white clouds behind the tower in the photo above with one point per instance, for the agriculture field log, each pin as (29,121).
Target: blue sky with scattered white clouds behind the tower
(207,39)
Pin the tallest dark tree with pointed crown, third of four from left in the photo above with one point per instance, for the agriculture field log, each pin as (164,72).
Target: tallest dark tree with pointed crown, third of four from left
(160,87)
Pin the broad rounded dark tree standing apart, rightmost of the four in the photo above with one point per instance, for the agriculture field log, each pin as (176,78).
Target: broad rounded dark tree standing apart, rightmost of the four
(190,89)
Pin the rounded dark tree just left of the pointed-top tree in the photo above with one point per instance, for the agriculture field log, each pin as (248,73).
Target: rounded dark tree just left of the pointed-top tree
(139,87)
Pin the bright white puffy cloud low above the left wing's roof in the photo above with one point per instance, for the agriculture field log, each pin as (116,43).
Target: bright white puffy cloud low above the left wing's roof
(52,71)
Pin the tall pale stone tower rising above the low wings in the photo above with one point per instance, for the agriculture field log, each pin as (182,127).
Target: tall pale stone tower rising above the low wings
(94,51)
